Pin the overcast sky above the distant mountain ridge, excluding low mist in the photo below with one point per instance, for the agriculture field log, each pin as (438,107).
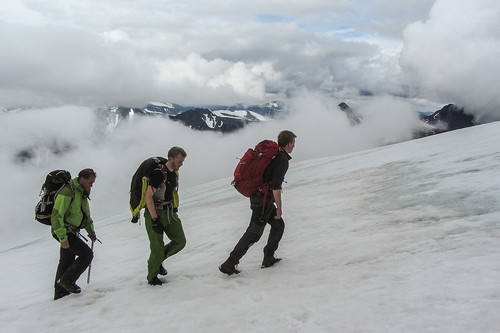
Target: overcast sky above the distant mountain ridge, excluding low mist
(201,52)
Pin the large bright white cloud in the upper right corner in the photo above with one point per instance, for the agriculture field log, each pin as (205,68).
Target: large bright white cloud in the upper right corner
(455,53)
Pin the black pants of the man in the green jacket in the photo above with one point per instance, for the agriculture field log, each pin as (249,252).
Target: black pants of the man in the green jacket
(70,267)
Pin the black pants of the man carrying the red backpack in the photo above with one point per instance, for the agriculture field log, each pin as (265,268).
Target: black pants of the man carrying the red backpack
(254,232)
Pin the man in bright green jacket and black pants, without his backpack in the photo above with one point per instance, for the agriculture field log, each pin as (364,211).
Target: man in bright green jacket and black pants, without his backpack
(70,214)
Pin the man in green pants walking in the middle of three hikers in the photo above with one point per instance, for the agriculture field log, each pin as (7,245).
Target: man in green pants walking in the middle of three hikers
(162,201)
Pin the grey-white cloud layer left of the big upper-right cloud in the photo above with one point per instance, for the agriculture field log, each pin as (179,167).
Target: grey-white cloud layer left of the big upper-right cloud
(104,53)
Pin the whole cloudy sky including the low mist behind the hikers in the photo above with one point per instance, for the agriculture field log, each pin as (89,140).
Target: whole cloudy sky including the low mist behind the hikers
(64,58)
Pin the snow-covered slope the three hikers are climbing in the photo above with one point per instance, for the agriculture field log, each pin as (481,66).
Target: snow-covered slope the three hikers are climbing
(403,238)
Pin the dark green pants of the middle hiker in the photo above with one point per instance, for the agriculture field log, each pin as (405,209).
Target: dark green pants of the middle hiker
(172,227)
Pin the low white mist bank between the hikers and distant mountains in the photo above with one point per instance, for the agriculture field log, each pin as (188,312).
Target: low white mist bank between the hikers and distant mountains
(73,138)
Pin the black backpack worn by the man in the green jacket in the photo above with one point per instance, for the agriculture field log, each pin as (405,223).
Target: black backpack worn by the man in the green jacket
(54,182)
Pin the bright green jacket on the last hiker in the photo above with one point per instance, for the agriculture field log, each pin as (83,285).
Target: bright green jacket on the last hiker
(68,212)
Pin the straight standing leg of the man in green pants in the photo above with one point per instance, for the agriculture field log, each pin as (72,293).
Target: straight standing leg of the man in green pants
(156,245)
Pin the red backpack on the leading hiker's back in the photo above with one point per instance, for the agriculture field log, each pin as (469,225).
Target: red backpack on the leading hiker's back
(249,171)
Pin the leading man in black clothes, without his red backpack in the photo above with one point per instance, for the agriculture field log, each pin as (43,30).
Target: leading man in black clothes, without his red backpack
(271,214)
